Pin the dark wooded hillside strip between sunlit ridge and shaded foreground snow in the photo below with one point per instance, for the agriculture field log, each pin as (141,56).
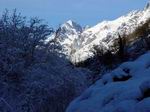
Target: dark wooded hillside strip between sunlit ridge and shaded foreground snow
(125,47)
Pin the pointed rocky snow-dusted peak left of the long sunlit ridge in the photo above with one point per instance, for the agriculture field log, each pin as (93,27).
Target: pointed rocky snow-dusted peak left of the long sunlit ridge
(68,37)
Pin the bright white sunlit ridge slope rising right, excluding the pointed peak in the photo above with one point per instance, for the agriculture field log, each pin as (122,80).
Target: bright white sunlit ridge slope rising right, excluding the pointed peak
(104,33)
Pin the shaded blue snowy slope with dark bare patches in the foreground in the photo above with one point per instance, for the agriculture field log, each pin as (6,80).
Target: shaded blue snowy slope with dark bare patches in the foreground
(125,89)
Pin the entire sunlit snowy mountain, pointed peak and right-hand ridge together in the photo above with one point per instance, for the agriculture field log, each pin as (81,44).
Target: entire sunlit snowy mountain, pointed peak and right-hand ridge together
(77,42)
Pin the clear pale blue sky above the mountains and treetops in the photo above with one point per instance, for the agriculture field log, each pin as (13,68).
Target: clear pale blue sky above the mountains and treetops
(85,12)
